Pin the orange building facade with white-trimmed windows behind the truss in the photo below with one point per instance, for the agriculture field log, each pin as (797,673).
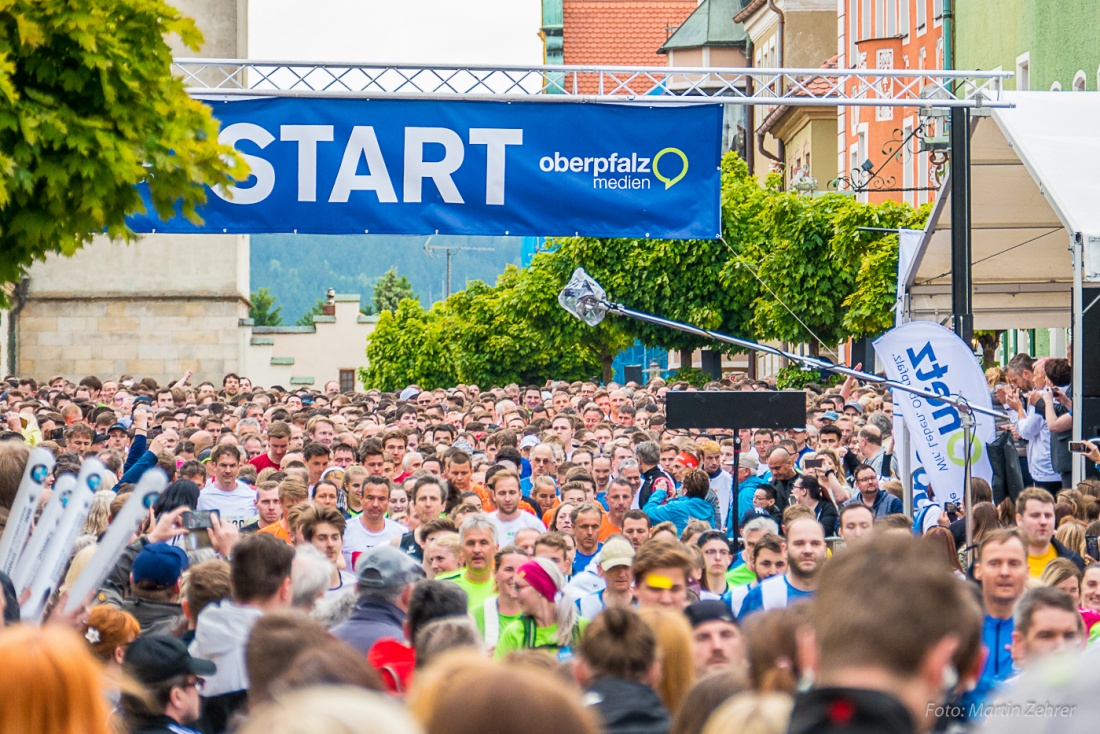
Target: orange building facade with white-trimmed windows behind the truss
(879,156)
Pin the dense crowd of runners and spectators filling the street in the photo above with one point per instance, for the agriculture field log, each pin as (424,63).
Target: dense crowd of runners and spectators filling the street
(543,560)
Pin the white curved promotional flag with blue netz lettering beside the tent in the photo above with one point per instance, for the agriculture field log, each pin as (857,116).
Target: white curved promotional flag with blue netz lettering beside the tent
(928,357)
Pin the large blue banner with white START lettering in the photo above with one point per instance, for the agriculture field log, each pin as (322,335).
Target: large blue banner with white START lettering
(343,167)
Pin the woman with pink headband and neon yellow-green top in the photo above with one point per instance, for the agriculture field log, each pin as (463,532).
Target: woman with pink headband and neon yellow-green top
(549,621)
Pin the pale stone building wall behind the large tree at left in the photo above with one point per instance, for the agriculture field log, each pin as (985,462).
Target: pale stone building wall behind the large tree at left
(155,308)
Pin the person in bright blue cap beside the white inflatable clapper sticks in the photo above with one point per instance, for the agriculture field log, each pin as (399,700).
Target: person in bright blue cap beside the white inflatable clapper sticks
(155,589)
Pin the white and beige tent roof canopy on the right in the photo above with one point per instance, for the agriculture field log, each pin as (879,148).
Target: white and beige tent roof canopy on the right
(1035,185)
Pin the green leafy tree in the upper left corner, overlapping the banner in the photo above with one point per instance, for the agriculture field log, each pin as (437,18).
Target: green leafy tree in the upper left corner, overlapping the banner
(90,108)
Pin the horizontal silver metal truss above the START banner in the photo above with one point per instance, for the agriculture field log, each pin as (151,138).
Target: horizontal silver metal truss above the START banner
(659,85)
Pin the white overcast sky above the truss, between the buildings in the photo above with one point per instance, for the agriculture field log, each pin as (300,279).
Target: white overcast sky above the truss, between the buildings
(493,32)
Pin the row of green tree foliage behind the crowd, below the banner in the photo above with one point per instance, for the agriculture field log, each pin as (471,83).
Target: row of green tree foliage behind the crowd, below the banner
(788,268)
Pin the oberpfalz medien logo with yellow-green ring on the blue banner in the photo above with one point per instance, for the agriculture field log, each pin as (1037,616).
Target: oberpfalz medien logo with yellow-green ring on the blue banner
(622,172)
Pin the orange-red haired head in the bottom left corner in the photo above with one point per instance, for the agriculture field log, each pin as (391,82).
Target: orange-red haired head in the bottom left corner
(59,682)
